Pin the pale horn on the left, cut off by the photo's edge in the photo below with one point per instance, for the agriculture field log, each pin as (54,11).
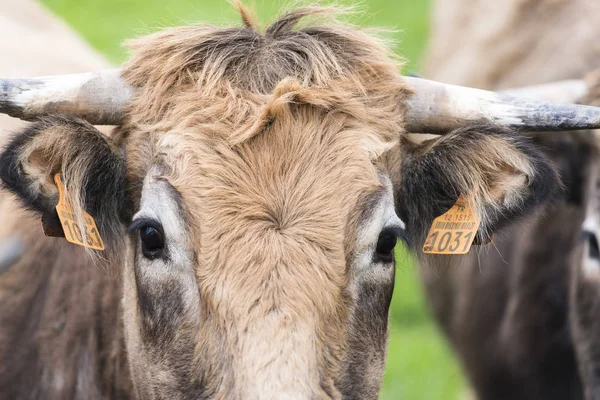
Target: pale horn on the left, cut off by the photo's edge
(98,97)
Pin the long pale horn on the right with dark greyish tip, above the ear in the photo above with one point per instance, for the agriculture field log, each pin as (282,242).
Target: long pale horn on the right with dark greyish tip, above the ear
(437,108)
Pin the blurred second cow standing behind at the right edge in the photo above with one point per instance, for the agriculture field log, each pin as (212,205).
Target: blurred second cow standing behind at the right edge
(522,315)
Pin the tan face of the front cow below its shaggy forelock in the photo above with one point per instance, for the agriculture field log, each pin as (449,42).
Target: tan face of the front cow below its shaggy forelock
(261,268)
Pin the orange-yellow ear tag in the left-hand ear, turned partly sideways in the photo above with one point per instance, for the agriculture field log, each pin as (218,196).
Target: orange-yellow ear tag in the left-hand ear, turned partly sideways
(69,222)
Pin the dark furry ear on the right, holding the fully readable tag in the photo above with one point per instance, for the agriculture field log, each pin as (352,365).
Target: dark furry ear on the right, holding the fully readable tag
(502,173)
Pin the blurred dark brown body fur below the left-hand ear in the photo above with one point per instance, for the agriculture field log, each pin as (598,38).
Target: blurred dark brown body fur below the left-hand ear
(61,335)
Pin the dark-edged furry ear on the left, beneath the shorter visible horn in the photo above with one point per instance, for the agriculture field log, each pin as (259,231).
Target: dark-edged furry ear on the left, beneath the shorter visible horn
(92,169)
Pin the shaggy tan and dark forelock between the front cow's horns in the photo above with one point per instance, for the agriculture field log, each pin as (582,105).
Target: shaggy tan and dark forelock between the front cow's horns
(182,70)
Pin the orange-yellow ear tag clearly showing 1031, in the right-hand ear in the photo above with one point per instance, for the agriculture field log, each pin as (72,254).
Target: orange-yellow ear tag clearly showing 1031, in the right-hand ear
(454,231)
